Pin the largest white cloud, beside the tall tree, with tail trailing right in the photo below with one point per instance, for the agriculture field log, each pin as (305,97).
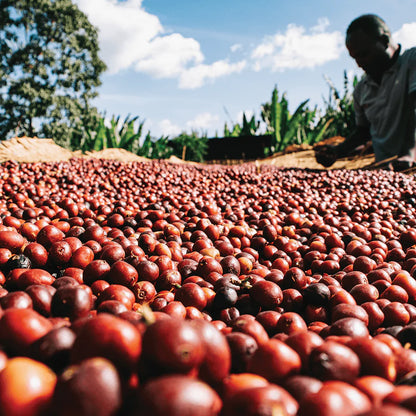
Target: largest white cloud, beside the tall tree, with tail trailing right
(130,37)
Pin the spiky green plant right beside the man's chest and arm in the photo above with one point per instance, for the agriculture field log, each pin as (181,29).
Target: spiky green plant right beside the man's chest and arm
(340,109)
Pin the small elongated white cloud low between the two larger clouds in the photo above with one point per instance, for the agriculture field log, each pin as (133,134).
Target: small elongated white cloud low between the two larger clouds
(196,76)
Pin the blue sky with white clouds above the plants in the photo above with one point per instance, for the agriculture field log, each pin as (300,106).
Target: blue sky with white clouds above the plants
(183,65)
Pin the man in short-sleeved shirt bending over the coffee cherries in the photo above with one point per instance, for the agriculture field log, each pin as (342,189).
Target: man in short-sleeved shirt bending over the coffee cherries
(384,99)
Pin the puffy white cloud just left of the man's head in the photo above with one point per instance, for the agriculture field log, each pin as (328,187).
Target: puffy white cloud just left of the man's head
(298,49)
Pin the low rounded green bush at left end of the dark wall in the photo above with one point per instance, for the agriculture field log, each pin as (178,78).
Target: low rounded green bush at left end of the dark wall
(190,146)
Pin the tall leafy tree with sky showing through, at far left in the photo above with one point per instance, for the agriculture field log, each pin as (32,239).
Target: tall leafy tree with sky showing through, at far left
(49,70)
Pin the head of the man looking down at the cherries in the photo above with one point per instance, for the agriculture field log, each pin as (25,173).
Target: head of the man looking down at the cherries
(369,42)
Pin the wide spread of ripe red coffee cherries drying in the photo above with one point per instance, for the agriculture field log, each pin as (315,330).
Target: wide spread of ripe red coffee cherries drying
(156,288)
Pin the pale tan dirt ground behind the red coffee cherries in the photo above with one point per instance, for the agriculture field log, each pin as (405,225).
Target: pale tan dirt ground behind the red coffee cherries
(28,150)
